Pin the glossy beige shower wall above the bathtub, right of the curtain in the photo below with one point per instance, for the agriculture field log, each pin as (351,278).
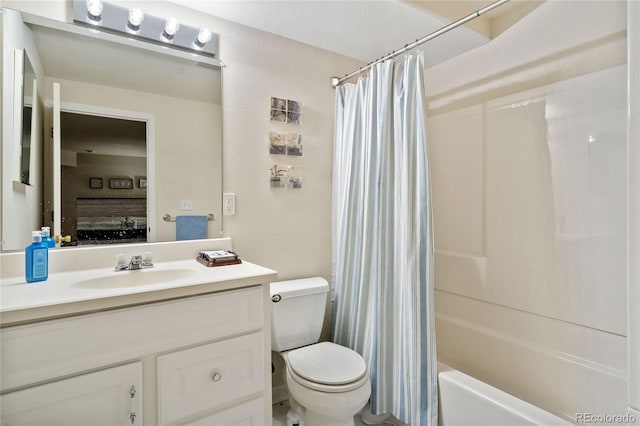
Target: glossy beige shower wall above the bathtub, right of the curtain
(527,143)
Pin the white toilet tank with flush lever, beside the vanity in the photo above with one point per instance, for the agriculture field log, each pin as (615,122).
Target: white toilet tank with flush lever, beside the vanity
(297,312)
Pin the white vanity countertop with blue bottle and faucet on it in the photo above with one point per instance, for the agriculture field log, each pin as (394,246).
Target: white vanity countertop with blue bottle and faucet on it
(90,290)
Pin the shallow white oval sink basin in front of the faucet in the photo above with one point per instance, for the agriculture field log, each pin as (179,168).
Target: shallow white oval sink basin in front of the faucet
(135,278)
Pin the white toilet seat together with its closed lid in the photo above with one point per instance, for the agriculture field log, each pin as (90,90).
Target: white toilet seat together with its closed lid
(327,367)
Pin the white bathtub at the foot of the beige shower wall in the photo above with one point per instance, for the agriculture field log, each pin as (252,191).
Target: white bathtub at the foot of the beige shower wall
(465,401)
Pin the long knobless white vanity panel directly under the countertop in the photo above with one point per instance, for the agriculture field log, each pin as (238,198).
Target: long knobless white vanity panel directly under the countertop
(42,351)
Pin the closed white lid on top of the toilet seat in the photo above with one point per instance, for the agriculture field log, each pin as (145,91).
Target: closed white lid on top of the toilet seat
(327,363)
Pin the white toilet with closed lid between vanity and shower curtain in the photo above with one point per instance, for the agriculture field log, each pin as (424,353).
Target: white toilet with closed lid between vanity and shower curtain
(328,383)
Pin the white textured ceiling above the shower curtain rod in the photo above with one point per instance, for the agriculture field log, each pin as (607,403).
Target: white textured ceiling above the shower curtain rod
(365,30)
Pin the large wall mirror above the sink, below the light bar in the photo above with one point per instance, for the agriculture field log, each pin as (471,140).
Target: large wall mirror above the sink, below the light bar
(140,137)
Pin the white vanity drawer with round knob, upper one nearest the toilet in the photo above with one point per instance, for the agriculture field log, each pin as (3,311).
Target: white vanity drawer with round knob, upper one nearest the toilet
(203,378)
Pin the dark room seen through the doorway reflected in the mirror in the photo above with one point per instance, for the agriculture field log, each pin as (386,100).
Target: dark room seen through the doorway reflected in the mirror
(98,153)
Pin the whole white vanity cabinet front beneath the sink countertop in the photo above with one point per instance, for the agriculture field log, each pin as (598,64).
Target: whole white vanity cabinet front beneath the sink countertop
(202,359)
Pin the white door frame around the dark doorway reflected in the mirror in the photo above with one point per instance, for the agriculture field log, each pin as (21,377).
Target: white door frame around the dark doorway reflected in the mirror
(97,110)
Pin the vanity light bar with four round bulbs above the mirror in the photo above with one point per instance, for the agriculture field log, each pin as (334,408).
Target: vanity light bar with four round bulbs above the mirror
(136,24)
